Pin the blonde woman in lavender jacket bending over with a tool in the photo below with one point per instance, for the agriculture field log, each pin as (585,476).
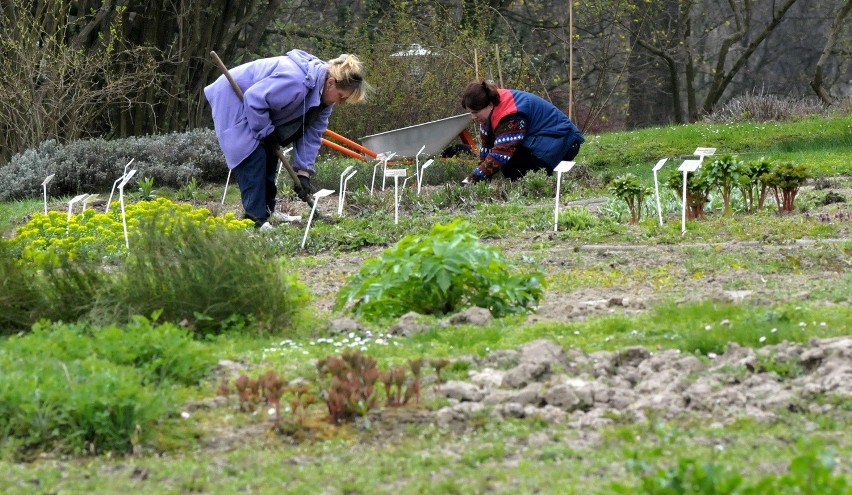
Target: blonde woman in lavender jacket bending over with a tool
(288,100)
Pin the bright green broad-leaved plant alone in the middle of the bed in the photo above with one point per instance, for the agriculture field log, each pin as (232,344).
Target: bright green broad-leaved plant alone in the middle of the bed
(439,273)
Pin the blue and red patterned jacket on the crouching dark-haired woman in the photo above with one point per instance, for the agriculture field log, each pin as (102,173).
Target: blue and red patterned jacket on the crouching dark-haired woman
(523,119)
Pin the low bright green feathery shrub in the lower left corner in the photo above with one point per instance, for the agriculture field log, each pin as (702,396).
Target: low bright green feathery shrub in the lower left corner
(81,389)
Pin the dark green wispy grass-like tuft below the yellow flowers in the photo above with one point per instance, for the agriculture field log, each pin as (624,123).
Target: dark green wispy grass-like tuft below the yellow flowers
(211,279)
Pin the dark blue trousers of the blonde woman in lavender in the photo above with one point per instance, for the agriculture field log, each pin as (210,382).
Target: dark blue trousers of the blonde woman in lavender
(256,176)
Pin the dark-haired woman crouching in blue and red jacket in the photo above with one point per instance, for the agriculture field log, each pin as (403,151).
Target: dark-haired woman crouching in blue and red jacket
(519,132)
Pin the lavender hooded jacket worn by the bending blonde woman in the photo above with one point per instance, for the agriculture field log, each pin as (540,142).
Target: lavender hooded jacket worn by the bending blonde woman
(277,90)
